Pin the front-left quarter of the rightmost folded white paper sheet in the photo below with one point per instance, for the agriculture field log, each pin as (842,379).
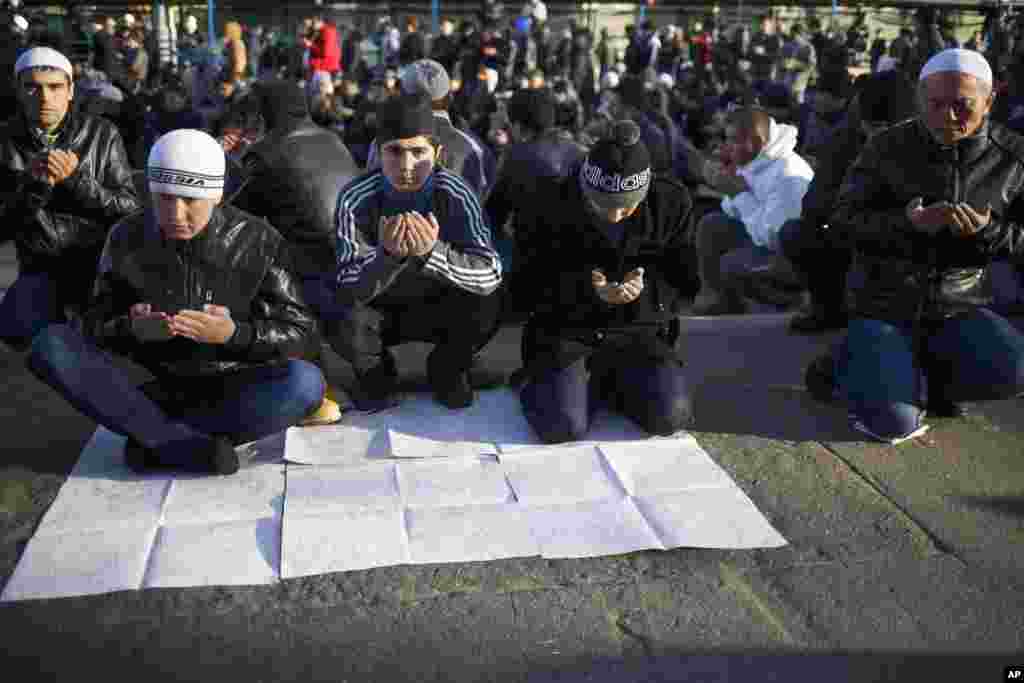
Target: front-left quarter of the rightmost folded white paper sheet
(591,529)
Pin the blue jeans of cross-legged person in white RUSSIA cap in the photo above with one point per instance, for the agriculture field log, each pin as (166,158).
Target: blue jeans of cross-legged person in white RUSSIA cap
(242,406)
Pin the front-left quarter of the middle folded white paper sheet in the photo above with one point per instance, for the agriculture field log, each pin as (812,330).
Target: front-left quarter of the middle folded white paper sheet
(348,539)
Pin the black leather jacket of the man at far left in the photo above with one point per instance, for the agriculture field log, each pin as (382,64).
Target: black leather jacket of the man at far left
(49,224)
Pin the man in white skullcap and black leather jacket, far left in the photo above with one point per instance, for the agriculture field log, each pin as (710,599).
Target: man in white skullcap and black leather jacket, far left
(65,180)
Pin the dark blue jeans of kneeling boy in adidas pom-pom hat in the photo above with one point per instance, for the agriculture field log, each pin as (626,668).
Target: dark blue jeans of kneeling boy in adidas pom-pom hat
(561,405)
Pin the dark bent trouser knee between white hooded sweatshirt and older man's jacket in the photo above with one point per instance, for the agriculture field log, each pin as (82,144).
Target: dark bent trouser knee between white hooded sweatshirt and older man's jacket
(822,263)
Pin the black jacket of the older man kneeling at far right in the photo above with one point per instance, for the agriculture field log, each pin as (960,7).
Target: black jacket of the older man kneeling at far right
(906,274)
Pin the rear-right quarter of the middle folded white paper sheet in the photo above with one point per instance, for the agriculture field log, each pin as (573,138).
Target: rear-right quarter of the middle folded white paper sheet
(450,483)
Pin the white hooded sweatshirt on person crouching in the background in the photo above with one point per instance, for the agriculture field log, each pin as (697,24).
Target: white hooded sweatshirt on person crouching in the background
(778,179)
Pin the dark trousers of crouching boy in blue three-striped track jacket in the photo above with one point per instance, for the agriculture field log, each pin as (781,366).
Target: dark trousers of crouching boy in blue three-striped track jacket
(459,323)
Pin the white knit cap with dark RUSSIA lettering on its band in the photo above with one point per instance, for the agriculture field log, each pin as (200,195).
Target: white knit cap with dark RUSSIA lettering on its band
(187,163)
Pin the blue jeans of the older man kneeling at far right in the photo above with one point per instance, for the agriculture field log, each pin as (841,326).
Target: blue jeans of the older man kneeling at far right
(977,357)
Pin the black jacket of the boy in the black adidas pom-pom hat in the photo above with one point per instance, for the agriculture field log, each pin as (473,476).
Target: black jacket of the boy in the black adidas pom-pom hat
(562,249)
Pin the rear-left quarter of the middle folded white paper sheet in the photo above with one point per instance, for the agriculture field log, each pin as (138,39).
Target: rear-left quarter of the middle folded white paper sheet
(317,491)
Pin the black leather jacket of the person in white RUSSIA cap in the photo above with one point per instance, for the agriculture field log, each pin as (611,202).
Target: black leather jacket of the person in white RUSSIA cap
(235,263)
